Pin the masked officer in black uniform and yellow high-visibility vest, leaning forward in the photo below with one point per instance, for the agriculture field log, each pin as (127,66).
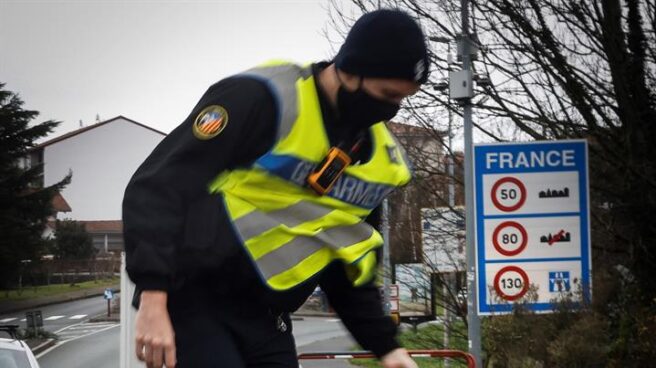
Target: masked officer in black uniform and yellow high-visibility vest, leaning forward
(268,189)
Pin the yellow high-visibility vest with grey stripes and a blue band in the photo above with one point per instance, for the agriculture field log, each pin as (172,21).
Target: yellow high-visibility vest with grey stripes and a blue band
(289,231)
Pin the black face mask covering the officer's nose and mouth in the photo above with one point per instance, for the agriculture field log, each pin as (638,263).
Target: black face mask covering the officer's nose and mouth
(359,110)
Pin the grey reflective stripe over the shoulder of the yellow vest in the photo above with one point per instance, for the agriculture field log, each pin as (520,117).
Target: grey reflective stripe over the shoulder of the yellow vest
(282,79)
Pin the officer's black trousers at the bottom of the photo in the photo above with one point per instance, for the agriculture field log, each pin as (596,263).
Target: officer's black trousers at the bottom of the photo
(231,331)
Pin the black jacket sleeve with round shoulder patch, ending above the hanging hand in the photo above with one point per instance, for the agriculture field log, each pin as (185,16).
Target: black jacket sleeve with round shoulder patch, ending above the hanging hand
(177,173)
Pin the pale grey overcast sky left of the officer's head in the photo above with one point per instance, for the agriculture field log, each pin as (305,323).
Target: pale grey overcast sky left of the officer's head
(149,60)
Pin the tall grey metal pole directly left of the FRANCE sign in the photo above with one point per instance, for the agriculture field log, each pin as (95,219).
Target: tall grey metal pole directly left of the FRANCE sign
(473,321)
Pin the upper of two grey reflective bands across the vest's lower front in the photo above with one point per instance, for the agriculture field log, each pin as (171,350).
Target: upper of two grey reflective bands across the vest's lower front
(257,222)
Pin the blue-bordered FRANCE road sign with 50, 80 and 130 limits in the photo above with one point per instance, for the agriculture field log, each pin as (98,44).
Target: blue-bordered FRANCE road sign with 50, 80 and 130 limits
(532,222)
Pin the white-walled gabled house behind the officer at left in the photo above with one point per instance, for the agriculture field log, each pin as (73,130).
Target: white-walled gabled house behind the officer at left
(102,158)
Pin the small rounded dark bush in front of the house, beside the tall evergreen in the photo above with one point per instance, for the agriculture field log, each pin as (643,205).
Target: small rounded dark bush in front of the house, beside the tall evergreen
(72,241)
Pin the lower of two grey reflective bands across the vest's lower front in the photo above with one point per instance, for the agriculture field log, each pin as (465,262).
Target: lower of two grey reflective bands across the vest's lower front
(301,247)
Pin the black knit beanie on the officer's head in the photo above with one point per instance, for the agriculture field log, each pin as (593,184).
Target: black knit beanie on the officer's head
(385,43)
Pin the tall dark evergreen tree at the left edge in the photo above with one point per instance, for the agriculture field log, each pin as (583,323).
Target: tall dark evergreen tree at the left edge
(24,207)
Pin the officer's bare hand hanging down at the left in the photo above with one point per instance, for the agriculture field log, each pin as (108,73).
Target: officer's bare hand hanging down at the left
(154,332)
